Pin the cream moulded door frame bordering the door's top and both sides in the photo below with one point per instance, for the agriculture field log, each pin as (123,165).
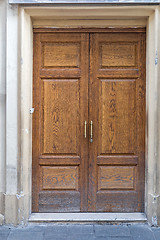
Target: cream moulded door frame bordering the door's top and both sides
(151,159)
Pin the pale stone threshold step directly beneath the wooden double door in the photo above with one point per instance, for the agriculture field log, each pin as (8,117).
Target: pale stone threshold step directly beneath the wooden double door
(87,217)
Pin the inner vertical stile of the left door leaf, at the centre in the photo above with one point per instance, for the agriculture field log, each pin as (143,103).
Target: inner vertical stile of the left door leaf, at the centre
(84,117)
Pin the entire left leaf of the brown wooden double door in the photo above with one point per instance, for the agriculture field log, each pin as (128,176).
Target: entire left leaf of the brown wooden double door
(60,151)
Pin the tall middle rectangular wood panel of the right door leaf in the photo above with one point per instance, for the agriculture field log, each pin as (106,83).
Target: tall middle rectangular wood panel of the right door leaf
(118,116)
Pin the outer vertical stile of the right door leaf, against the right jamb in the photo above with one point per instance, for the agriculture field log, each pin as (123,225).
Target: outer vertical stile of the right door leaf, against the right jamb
(141,119)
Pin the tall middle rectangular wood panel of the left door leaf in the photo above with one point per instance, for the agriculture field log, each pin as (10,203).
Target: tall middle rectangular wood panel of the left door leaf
(60,103)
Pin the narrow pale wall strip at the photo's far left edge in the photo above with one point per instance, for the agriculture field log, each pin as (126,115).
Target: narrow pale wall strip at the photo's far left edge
(2,106)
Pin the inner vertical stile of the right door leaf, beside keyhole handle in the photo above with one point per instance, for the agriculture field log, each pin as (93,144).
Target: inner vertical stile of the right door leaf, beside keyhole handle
(93,112)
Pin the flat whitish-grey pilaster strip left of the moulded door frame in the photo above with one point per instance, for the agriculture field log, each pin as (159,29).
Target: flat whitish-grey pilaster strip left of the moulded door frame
(12,114)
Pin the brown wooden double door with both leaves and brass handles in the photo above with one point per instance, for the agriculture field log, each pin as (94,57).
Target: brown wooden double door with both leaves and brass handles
(89,121)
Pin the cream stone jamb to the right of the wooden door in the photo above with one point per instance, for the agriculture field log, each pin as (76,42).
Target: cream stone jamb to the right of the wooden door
(152,144)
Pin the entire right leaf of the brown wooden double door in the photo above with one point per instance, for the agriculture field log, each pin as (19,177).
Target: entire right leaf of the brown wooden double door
(117,109)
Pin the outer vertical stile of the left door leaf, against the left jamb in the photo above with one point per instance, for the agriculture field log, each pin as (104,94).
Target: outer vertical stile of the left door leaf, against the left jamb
(36,123)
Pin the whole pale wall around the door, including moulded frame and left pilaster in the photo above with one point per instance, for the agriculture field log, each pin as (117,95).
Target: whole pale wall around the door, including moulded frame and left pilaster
(16,49)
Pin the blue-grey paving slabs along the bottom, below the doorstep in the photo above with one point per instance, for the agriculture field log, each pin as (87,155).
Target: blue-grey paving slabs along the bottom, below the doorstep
(81,232)
